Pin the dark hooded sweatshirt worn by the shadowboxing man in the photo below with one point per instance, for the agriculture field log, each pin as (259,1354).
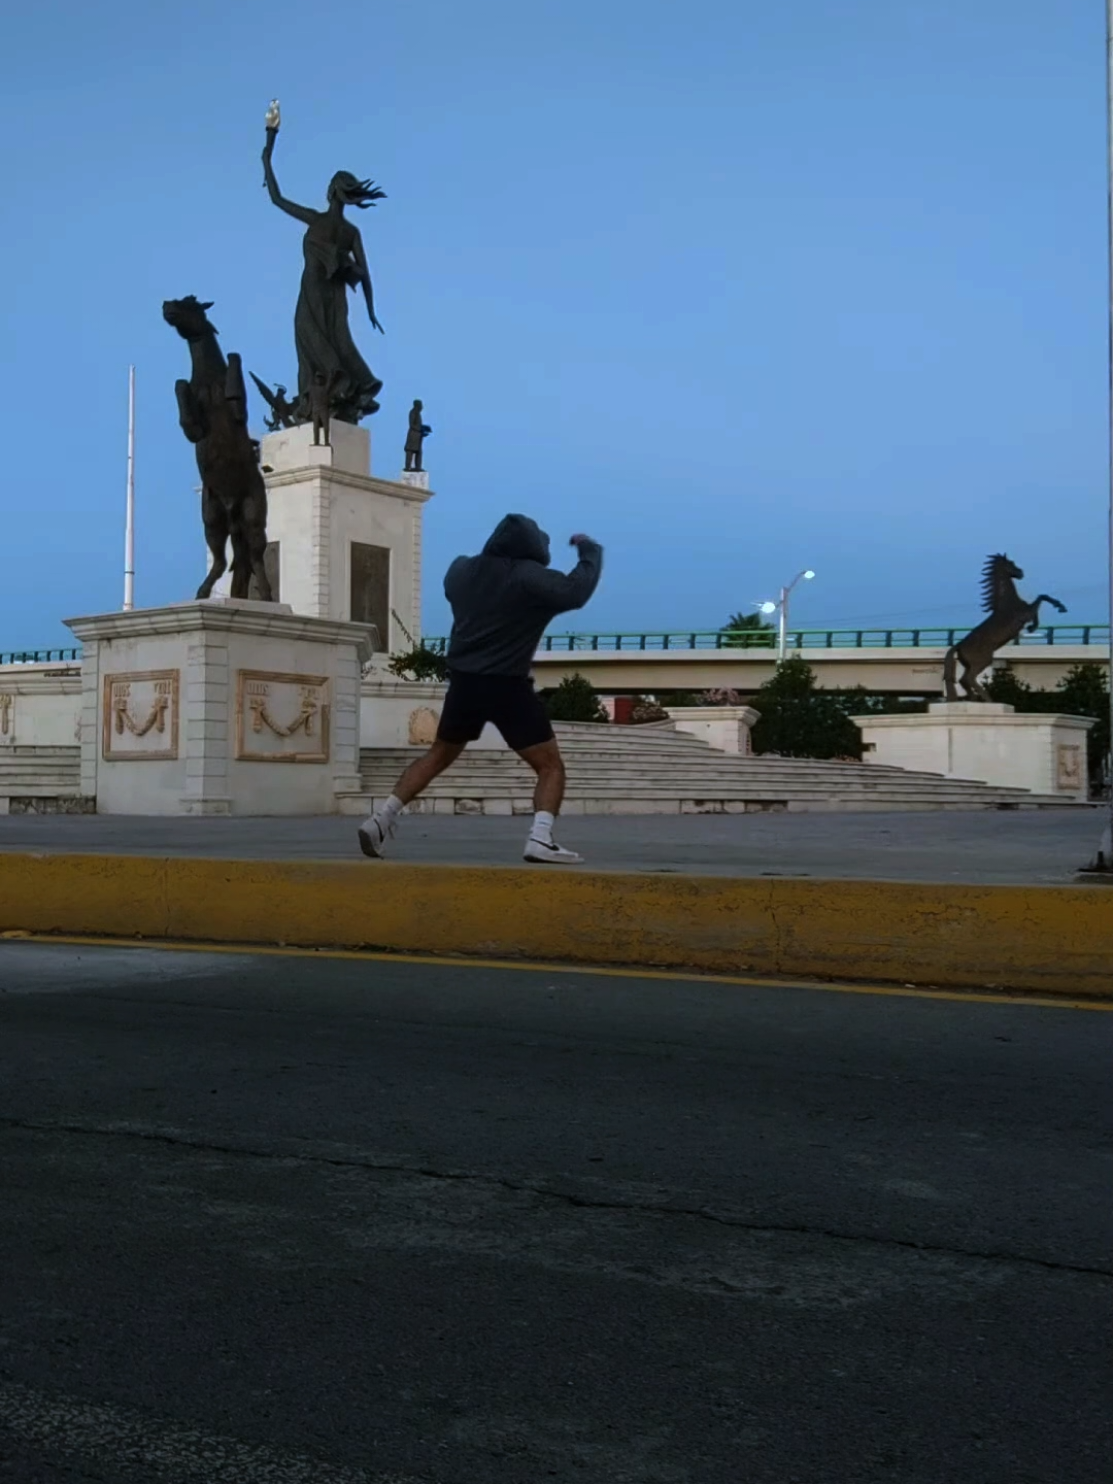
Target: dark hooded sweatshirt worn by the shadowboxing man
(505,599)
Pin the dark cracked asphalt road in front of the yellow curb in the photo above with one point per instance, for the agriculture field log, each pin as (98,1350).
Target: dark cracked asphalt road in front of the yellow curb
(333,1222)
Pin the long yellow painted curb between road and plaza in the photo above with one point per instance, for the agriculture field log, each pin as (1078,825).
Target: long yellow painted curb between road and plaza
(1031,939)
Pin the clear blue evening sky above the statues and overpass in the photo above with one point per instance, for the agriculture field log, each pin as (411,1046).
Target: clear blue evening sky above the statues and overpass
(738,289)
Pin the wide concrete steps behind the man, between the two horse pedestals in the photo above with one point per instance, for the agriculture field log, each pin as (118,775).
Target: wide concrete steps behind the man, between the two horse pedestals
(658,771)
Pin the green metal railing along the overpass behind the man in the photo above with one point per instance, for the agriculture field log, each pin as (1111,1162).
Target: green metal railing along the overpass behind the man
(1083,636)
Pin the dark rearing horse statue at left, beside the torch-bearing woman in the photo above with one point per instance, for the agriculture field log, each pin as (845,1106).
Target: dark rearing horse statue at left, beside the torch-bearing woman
(213,410)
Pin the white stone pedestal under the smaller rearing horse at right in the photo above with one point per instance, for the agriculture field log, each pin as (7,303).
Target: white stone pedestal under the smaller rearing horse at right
(991,744)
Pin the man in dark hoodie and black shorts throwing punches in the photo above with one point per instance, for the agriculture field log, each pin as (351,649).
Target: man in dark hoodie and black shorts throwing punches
(502,605)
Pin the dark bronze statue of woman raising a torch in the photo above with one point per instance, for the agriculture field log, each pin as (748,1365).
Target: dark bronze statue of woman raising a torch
(335,263)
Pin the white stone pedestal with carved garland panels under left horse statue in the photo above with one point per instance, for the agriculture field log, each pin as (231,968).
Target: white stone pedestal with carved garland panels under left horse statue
(225,707)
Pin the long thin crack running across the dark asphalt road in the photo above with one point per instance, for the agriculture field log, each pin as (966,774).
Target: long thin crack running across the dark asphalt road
(180,1139)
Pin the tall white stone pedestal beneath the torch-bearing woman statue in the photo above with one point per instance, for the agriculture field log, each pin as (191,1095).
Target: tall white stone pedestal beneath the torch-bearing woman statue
(341,544)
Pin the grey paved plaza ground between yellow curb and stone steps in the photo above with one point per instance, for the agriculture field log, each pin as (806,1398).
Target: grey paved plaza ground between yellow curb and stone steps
(1026,847)
